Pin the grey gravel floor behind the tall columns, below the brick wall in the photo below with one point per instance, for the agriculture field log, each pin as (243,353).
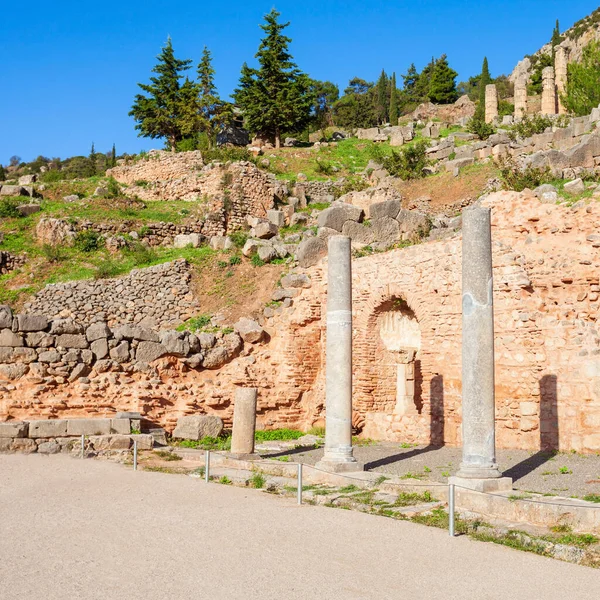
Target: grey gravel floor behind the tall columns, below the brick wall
(562,474)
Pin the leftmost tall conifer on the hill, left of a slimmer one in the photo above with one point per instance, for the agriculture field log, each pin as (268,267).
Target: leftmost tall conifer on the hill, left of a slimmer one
(163,111)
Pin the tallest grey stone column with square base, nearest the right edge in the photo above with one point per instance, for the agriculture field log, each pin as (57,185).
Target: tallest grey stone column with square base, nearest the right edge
(478,469)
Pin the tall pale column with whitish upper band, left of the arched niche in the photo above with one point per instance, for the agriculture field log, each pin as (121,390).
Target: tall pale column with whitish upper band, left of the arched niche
(338,455)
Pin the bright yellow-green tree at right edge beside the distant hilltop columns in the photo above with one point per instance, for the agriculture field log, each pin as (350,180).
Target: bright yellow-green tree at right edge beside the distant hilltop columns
(582,92)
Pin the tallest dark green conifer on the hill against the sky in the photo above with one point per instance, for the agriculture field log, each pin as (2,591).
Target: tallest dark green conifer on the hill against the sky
(277,96)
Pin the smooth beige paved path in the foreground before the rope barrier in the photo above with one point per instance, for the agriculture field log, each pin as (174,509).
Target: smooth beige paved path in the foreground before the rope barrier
(96,530)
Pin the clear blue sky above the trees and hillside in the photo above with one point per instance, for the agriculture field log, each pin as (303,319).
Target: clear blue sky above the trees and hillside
(69,69)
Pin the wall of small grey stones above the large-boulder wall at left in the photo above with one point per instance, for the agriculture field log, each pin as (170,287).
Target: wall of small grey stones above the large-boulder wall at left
(158,296)
